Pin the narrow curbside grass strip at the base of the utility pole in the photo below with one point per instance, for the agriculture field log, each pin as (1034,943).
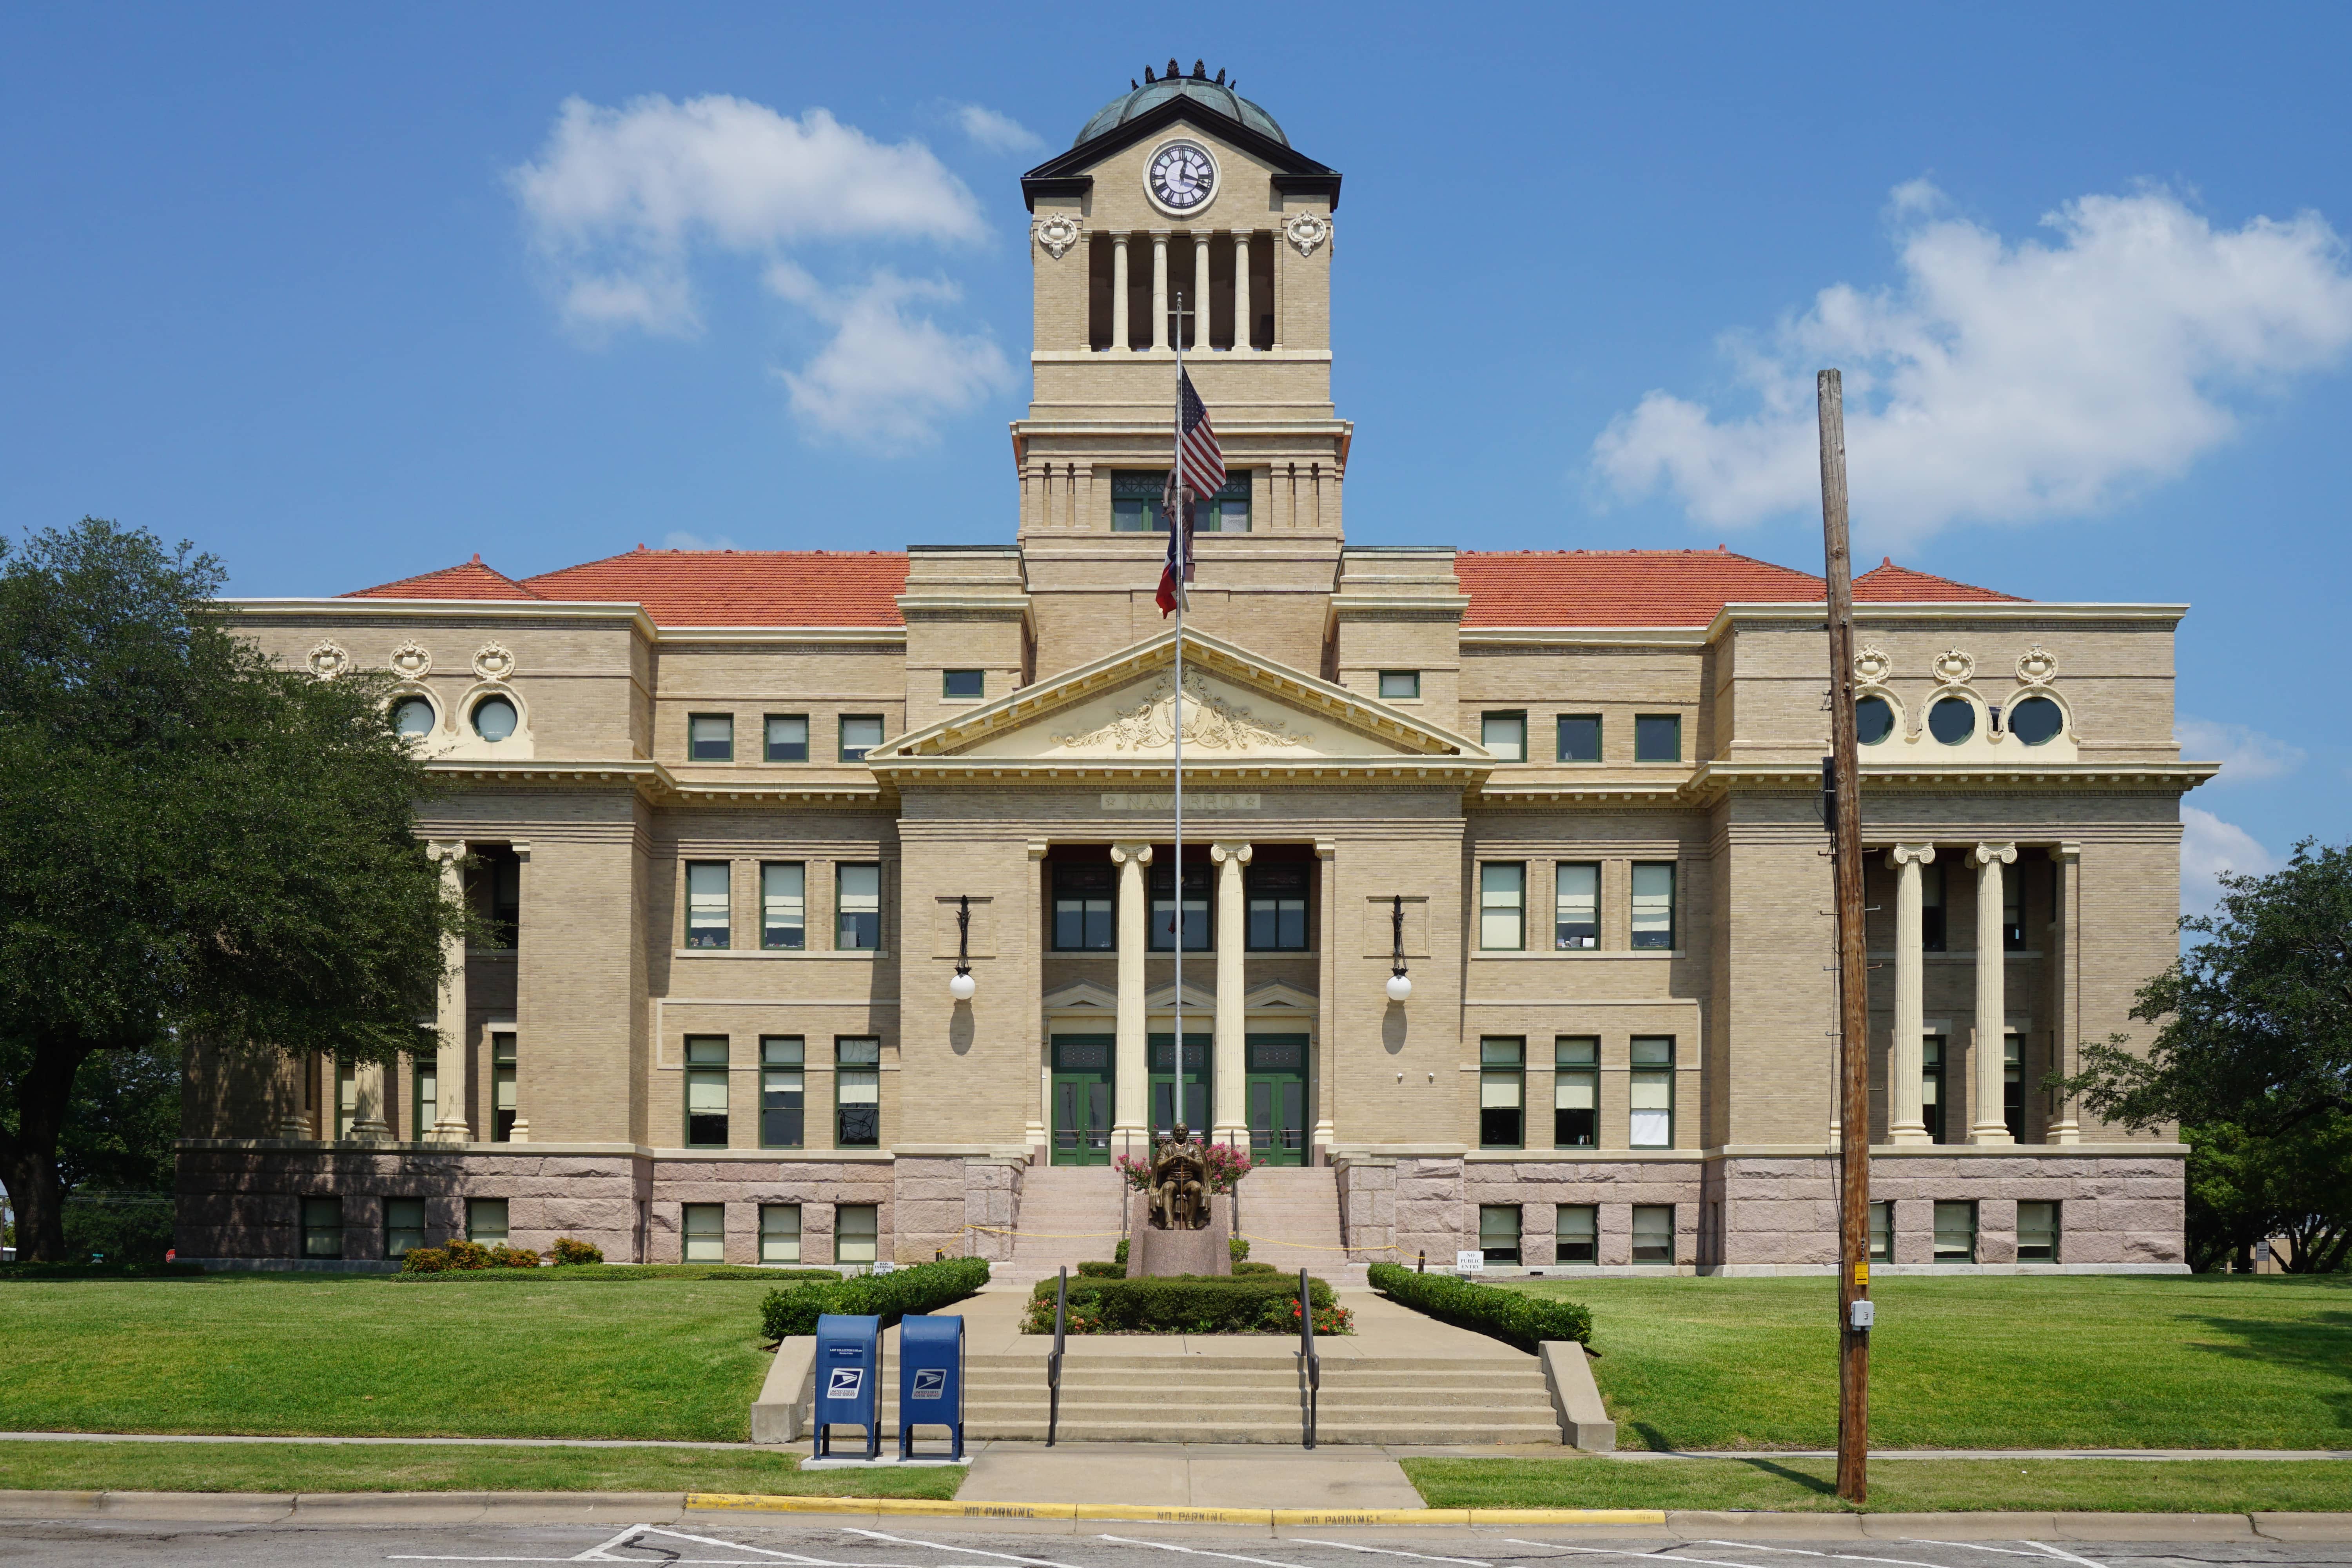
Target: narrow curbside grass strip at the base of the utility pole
(1897,1487)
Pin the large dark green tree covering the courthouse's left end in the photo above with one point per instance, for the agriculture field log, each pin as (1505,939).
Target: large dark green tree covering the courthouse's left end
(194,847)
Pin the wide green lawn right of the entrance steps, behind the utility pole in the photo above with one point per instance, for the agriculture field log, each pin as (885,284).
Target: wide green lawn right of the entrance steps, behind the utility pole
(2000,1362)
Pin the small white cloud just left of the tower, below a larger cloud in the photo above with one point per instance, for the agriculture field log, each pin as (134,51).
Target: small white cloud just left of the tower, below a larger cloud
(890,370)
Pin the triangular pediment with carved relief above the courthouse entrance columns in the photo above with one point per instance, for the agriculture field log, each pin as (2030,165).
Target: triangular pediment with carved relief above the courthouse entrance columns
(1236,711)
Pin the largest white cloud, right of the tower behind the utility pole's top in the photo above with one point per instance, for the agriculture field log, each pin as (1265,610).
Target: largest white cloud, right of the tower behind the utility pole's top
(2005,382)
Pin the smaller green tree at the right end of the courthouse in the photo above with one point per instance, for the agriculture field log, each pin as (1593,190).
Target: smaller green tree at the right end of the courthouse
(2254,1061)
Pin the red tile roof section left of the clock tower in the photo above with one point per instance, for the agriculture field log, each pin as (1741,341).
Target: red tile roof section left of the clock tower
(740,587)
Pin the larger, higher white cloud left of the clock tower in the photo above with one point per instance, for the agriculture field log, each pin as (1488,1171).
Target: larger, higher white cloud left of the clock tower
(622,199)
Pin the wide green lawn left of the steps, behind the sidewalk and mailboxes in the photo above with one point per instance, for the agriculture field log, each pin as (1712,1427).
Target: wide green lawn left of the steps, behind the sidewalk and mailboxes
(312,1355)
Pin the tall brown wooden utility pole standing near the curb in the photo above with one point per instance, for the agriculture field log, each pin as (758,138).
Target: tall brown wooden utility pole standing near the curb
(1852,977)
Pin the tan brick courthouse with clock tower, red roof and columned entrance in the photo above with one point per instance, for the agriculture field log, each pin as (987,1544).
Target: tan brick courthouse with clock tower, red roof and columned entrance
(742,817)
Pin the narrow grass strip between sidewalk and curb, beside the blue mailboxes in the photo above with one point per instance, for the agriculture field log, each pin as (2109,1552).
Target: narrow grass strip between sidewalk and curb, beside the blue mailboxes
(300,1468)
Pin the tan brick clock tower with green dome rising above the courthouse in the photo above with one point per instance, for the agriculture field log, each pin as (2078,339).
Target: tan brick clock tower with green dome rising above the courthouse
(1182,213)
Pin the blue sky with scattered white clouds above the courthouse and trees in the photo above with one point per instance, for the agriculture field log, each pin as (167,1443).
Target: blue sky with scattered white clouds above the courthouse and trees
(283,281)
